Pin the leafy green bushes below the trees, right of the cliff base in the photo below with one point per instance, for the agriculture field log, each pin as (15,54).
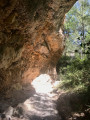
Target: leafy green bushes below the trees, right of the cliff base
(74,74)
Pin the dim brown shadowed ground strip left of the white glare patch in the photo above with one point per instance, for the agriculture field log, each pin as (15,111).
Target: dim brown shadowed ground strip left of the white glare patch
(17,96)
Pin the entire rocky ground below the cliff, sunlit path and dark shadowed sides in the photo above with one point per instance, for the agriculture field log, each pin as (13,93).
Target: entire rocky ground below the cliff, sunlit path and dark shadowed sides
(42,101)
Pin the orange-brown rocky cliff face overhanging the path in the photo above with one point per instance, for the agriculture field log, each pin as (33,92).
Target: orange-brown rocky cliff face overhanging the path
(31,38)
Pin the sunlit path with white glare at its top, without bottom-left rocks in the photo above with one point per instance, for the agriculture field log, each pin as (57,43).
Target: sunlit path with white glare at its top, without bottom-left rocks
(41,106)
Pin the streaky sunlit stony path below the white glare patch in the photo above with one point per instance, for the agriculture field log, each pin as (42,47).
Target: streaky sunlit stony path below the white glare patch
(38,107)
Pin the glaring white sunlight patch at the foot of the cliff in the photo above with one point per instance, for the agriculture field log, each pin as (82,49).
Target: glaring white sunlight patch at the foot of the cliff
(43,84)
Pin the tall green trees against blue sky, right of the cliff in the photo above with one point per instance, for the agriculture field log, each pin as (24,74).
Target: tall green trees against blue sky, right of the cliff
(77,28)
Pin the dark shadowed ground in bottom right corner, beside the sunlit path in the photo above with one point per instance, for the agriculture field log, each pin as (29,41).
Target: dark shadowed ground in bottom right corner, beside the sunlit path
(70,103)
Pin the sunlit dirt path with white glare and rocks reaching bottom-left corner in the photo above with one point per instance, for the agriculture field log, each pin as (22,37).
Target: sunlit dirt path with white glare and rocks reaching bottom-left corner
(41,106)
